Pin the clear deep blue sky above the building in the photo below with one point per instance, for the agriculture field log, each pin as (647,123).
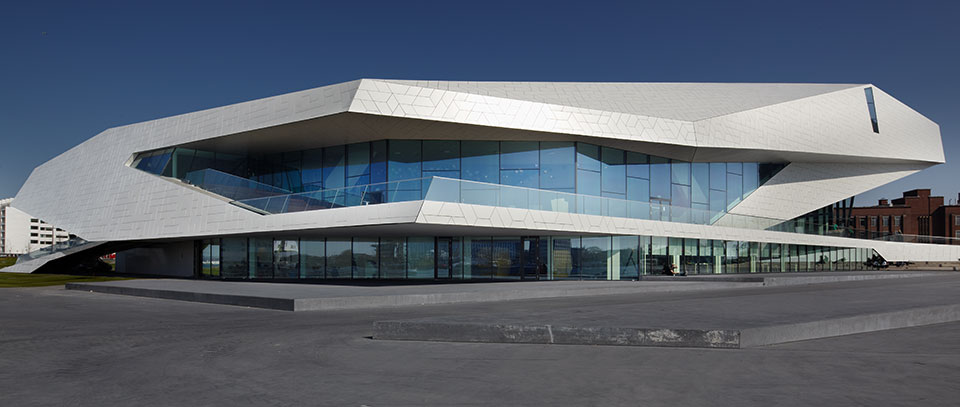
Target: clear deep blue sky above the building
(71,70)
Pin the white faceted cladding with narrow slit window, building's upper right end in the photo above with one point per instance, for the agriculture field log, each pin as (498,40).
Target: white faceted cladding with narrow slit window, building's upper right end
(836,123)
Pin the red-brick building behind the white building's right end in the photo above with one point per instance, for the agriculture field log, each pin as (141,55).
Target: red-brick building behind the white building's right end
(915,213)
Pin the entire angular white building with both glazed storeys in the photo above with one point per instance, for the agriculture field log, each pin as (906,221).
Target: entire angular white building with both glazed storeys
(397,179)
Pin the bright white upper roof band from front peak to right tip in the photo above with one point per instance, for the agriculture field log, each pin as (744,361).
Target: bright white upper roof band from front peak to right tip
(834,123)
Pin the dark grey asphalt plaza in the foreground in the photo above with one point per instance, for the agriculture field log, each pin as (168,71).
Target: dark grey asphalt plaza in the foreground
(70,348)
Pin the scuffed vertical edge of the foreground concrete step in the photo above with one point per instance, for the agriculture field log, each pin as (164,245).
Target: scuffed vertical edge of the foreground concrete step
(452,331)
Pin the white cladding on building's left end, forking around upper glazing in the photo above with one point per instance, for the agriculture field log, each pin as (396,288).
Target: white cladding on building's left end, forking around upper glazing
(89,191)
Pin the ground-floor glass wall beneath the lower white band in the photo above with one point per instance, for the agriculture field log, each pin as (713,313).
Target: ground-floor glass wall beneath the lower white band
(507,258)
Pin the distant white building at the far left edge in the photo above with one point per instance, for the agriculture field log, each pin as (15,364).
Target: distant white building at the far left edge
(20,233)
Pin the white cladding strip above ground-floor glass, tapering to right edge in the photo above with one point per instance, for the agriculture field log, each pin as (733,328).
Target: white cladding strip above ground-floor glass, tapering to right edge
(555,223)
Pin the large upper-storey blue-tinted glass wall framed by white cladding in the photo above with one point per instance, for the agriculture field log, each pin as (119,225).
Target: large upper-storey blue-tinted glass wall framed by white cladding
(384,171)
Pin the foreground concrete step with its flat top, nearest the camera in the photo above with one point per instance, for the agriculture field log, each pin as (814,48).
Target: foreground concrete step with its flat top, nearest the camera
(720,319)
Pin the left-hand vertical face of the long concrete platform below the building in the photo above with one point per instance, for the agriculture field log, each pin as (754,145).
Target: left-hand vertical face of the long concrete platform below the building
(284,304)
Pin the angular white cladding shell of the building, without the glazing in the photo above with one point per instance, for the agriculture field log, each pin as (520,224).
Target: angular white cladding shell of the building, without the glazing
(819,136)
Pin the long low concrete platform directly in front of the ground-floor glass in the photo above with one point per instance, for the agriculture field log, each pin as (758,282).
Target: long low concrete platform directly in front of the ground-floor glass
(325,297)
